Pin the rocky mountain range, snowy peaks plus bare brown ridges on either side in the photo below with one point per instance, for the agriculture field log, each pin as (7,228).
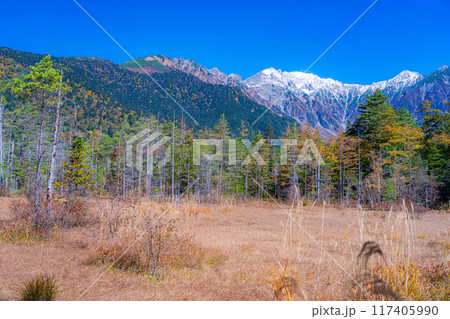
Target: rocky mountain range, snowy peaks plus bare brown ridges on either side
(324,103)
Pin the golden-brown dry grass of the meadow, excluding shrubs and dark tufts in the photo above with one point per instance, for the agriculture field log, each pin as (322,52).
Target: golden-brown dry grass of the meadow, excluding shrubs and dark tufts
(239,248)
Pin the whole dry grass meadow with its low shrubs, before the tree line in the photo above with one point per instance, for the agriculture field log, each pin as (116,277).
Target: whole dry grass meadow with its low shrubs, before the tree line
(245,251)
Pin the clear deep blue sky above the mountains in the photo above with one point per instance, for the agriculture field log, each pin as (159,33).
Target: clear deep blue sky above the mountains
(242,37)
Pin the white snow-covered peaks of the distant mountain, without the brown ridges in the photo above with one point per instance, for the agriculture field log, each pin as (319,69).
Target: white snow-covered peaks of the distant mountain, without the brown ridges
(323,103)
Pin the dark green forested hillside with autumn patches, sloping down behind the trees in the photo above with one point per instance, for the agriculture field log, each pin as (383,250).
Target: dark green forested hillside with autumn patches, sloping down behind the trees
(107,93)
